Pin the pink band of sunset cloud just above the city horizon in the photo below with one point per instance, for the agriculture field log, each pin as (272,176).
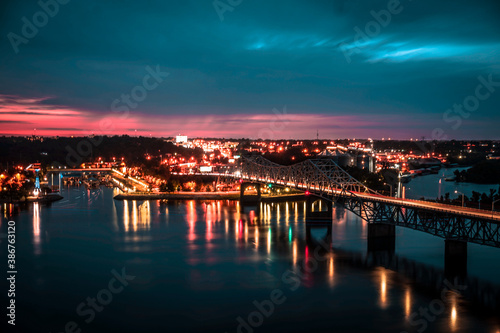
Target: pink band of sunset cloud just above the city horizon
(20,116)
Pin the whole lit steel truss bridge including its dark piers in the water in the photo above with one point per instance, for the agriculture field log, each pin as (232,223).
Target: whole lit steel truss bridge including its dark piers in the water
(324,180)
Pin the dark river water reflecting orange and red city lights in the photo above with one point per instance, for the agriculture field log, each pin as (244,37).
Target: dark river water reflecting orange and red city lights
(95,264)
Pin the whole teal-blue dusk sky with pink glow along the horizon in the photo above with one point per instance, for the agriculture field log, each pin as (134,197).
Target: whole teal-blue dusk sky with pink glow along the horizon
(400,79)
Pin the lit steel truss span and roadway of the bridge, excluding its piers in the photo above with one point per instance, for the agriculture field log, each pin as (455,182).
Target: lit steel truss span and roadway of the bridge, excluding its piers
(324,179)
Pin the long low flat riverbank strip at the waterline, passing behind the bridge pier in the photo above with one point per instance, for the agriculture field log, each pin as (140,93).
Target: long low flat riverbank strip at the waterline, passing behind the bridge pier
(235,195)
